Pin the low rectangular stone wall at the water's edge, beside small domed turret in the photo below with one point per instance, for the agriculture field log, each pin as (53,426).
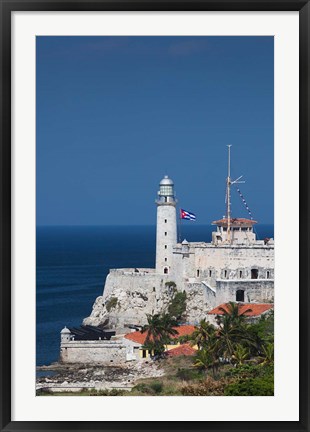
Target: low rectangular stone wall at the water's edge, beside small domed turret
(105,352)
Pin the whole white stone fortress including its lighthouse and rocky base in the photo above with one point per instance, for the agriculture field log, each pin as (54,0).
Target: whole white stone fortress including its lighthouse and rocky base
(233,267)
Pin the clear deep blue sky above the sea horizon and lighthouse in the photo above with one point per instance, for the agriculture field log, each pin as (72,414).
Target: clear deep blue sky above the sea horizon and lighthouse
(115,114)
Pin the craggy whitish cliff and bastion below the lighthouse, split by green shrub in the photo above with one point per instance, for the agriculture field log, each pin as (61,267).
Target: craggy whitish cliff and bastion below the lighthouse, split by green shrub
(130,296)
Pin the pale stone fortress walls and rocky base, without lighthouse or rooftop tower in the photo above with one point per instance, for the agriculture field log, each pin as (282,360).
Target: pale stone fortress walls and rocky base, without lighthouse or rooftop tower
(209,274)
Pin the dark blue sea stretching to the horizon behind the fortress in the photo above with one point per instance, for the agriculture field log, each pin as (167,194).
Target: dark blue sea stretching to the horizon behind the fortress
(73,262)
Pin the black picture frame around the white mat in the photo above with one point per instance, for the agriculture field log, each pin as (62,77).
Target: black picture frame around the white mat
(9,6)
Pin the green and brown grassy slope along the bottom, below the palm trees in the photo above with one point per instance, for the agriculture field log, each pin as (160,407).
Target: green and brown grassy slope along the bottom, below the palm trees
(181,378)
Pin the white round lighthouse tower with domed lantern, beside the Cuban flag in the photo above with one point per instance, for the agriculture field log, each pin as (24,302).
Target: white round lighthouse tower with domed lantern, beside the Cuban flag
(166,234)
